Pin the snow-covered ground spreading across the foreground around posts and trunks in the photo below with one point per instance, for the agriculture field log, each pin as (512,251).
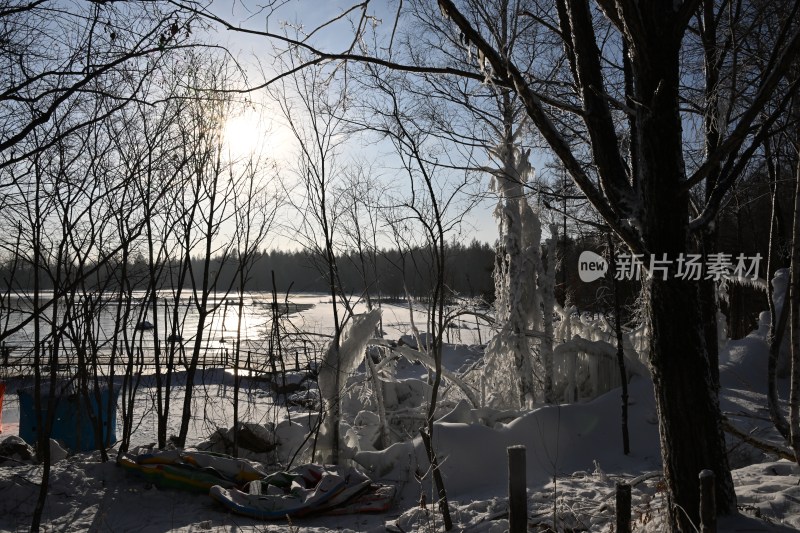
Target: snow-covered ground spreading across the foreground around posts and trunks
(574,460)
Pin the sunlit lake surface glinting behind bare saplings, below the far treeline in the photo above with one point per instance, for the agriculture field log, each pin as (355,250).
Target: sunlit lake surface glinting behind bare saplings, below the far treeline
(295,329)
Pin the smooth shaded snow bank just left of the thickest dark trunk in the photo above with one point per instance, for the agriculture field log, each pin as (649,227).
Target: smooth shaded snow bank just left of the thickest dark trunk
(559,441)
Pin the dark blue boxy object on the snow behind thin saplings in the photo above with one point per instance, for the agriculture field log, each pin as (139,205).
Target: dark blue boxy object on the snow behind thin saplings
(72,425)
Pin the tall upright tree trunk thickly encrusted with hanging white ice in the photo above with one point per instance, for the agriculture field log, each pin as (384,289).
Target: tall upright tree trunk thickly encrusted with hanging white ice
(519,359)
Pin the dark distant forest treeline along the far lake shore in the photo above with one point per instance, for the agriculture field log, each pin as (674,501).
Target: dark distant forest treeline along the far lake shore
(386,273)
